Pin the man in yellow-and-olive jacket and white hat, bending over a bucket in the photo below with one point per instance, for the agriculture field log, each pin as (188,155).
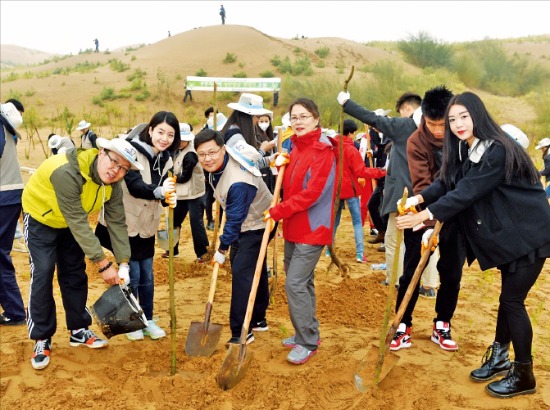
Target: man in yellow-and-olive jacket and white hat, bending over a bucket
(57,200)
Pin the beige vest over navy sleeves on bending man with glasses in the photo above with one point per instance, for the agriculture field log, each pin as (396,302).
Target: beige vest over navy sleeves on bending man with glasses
(234,173)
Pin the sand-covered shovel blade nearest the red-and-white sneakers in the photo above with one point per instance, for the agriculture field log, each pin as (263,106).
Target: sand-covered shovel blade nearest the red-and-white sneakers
(365,376)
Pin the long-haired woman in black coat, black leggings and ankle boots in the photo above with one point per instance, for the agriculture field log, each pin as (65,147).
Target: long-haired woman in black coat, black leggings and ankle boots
(490,183)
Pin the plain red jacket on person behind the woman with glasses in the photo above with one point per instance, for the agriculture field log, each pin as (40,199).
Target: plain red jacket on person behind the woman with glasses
(354,167)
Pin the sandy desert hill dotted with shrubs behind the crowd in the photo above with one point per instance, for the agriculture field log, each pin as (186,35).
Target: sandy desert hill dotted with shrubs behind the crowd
(58,87)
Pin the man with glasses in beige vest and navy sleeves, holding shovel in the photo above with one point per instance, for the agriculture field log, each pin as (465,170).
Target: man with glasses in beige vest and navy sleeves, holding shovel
(241,191)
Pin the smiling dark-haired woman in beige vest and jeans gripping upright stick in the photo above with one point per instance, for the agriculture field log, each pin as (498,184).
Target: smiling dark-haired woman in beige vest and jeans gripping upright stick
(144,193)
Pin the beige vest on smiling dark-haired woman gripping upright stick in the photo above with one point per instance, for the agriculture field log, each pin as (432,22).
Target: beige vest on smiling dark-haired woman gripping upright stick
(143,215)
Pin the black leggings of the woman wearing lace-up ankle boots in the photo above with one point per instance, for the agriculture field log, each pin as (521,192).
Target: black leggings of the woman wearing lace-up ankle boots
(513,323)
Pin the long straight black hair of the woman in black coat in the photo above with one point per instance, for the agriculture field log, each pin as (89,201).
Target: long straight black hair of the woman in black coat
(485,128)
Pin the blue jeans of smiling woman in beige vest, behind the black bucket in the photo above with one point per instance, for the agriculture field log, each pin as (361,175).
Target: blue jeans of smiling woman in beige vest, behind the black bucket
(143,284)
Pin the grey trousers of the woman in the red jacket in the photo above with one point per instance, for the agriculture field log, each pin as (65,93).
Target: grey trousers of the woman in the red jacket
(300,261)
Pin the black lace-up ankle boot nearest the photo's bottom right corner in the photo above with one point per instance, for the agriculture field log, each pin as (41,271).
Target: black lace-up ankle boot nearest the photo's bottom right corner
(519,380)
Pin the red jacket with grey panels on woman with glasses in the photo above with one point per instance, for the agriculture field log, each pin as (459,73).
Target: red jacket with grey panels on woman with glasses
(307,209)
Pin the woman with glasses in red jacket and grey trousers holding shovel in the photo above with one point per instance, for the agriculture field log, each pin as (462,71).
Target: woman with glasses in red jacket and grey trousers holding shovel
(307,214)
